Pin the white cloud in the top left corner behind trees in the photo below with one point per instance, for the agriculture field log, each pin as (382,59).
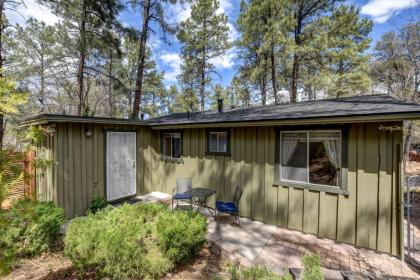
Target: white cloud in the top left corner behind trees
(31,9)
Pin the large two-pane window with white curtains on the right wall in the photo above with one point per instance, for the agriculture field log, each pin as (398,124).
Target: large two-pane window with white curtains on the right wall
(311,157)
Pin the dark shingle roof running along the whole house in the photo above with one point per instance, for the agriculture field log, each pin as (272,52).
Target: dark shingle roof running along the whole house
(381,106)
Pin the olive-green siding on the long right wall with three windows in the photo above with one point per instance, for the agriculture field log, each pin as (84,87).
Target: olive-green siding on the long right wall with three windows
(368,217)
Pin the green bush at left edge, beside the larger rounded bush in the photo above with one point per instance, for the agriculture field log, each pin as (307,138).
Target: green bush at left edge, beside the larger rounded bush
(27,229)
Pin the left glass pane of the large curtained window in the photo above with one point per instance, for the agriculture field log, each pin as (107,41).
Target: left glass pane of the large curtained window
(294,156)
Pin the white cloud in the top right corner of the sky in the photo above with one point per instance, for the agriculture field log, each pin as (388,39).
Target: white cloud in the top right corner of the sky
(382,10)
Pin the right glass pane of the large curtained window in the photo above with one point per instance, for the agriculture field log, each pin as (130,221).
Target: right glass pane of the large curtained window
(324,158)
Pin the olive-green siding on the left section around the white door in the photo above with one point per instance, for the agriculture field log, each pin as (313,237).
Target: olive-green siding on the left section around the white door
(78,174)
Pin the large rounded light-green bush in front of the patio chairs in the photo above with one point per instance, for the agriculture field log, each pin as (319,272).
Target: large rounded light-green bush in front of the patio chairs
(133,241)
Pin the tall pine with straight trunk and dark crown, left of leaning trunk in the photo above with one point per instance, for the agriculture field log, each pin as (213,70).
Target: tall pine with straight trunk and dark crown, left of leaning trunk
(89,24)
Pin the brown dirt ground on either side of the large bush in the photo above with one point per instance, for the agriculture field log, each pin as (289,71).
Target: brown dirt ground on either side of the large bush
(55,266)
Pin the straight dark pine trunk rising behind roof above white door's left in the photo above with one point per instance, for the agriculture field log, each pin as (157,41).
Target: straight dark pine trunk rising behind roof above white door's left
(82,57)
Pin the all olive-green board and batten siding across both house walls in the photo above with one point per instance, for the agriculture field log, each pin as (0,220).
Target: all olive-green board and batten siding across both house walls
(368,217)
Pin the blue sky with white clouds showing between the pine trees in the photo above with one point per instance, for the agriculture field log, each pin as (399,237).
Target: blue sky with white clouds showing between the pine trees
(387,15)
